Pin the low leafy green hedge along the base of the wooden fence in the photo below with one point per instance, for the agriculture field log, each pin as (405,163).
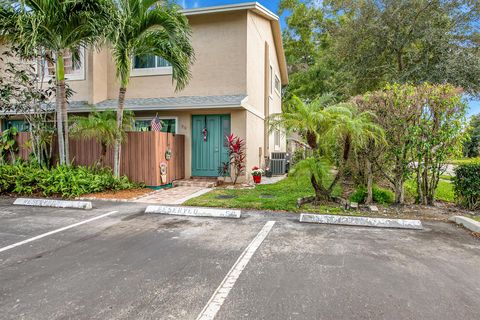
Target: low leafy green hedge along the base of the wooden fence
(66,181)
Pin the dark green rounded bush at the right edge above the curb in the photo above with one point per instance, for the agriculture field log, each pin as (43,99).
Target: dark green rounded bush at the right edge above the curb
(466,184)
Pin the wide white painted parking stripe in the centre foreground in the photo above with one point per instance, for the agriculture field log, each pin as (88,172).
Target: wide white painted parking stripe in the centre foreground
(215,303)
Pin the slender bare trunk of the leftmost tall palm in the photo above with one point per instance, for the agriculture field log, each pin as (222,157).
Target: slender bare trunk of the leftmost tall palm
(60,100)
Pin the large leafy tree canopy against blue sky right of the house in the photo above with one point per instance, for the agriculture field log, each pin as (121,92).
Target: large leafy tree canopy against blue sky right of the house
(352,47)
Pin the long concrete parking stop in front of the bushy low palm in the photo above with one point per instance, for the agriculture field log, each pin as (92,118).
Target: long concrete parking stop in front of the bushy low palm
(361,221)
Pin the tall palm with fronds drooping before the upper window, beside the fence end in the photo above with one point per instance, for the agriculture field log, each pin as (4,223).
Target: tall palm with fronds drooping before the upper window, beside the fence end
(148,27)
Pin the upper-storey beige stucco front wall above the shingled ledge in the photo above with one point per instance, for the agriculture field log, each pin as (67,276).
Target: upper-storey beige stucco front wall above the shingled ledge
(219,41)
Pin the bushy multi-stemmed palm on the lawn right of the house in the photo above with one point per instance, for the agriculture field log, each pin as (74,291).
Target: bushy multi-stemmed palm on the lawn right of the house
(333,132)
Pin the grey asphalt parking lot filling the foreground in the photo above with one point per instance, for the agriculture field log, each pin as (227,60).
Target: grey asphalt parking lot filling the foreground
(131,265)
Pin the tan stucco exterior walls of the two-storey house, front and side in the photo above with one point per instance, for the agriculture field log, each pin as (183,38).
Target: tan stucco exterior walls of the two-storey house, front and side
(235,47)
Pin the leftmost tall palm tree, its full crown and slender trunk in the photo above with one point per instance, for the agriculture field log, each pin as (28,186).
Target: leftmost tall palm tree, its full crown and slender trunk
(52,29)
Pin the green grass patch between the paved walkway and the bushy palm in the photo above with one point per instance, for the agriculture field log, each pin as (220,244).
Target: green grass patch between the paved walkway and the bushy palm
(282,195)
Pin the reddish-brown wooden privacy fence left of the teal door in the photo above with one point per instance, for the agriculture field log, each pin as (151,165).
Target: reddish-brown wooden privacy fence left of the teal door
(142,155)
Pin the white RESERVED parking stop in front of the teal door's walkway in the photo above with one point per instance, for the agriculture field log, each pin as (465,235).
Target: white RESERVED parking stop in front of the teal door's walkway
(194,211)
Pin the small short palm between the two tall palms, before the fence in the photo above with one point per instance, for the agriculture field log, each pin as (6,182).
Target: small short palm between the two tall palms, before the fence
(101,126)
